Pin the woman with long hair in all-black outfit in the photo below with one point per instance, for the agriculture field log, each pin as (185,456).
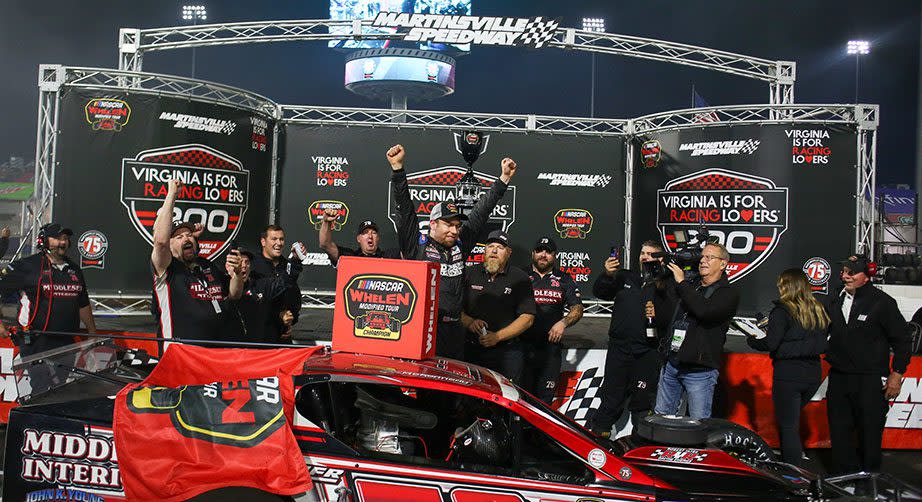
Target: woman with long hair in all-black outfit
(795,339)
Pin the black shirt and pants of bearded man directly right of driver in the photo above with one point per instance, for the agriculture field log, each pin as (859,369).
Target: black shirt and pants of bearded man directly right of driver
(498,301)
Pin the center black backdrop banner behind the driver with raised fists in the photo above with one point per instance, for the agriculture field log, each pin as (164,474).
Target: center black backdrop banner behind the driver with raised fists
(568,187)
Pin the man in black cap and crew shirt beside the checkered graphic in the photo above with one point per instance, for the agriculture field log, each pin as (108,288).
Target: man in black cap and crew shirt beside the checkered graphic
(541,342)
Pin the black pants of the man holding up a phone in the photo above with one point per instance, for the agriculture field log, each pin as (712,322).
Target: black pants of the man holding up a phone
(627,376)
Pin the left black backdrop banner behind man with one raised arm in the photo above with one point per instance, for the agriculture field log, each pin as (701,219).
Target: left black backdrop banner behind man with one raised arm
(115,154)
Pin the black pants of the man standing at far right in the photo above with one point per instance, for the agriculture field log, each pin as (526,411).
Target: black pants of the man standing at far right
(857,411)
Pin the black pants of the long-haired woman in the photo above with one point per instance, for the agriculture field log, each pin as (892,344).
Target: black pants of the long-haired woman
(790,396)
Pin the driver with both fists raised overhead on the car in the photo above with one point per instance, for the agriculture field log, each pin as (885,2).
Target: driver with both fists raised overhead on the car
(448,242)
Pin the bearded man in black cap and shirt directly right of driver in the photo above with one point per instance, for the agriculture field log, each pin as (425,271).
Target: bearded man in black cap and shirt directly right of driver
(499,305)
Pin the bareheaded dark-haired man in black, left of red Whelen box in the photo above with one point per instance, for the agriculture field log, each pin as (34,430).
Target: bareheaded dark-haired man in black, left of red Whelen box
(270,264)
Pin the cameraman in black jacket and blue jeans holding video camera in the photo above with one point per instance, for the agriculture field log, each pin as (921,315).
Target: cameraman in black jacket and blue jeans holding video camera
(697,334)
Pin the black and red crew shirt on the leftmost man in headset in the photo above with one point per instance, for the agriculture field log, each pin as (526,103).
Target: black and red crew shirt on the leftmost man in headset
(50,298)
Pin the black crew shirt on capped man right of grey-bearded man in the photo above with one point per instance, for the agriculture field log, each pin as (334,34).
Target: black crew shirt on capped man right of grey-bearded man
(553,292)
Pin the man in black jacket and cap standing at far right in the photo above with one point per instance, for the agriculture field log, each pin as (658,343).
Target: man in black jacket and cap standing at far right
(865,325)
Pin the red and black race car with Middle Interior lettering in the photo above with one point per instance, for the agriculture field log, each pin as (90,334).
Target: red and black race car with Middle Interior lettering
(381,428)
